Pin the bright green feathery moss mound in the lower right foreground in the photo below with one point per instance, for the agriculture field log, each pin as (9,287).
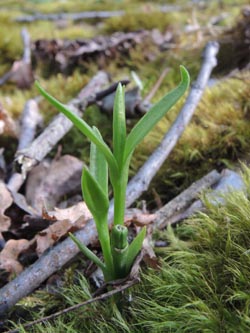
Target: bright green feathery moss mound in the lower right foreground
(202,285)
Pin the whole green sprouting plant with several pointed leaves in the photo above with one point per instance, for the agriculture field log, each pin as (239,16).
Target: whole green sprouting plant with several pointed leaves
(118,254)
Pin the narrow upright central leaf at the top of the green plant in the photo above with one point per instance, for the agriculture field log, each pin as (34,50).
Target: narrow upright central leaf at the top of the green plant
(119,124)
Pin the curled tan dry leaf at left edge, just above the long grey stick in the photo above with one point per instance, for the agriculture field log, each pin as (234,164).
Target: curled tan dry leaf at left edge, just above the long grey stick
(9,255)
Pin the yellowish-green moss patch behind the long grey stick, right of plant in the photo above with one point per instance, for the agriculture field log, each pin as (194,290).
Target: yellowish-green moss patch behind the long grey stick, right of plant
(218,134)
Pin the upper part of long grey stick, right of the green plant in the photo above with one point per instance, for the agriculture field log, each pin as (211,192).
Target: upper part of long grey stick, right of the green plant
(142,179)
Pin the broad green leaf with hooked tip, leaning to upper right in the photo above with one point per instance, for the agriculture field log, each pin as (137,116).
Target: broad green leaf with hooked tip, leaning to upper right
(149,120)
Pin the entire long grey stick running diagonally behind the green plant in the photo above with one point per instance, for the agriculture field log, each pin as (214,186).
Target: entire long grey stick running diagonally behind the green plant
(58,256)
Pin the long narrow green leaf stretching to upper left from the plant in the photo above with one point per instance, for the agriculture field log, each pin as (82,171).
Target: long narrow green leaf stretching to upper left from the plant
(83,127)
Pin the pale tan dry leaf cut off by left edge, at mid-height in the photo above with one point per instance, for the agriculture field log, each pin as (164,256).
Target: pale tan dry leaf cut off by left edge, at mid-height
(5,202)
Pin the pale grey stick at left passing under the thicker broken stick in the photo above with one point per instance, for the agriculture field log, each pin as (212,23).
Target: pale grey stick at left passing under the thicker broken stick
(29,122)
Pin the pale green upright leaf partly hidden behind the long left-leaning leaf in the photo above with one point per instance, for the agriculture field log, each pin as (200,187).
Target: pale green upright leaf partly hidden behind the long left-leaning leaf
(98,165)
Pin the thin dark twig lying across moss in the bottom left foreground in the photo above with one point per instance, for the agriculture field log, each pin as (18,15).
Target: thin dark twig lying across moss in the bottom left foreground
(106,295)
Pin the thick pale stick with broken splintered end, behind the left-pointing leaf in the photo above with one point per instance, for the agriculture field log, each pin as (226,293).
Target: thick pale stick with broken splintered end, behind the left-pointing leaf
(27,158)
